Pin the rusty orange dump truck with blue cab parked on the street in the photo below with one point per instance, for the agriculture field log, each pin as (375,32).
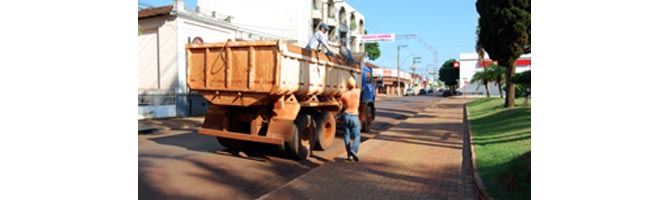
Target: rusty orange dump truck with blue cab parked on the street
(275,93)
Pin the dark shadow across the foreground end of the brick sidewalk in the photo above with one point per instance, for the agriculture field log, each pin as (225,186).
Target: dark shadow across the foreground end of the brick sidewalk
(364,179)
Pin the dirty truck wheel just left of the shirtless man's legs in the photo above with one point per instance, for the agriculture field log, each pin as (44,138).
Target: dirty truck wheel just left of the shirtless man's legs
(325,130)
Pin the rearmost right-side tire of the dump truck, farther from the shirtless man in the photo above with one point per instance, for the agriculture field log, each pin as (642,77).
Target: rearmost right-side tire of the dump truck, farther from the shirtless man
(299,145)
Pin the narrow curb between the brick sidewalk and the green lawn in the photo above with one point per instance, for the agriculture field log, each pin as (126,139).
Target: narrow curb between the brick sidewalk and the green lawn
(479,185)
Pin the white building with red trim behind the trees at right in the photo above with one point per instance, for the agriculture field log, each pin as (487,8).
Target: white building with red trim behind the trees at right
(469,64)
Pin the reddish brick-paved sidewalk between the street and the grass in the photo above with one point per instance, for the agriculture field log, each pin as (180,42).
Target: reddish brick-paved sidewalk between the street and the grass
(420,158)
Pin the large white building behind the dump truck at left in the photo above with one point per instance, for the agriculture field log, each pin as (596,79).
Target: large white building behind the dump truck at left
(162,70)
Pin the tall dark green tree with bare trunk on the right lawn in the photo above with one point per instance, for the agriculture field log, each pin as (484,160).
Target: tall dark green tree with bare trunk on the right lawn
(505,33)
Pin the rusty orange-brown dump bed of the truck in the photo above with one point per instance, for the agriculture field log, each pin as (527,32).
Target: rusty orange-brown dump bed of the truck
(244,73)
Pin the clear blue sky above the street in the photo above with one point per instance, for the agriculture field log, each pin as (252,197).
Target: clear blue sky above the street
(446,25)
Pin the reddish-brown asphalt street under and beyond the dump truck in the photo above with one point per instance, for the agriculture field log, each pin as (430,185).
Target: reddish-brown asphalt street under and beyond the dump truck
(178,163)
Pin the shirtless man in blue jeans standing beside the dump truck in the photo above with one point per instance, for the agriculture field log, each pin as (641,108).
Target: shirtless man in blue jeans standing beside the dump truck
(350,102)
